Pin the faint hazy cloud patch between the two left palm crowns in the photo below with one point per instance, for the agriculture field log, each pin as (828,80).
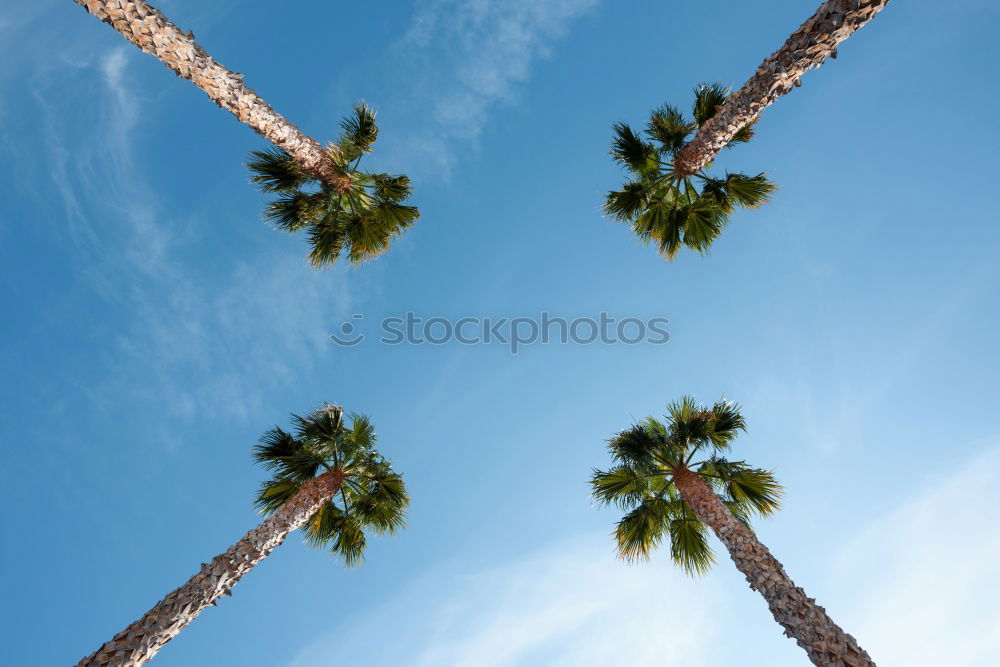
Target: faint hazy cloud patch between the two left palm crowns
(220,350)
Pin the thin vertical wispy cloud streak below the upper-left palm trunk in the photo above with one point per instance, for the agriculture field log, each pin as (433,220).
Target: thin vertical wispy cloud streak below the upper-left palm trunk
(111,211)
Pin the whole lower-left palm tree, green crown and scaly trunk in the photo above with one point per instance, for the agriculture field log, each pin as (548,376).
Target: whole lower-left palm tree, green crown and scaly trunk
(327,478)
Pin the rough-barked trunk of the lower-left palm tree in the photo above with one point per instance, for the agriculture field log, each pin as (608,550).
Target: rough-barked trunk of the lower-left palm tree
(139,642)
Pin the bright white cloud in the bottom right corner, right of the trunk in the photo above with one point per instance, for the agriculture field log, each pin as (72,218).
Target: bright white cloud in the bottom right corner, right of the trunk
(926,572)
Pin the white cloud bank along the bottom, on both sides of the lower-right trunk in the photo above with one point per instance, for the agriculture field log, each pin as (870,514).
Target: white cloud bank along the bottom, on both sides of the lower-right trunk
(917,584)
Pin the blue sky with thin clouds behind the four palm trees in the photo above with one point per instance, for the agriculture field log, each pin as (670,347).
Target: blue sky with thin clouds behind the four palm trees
(155,326)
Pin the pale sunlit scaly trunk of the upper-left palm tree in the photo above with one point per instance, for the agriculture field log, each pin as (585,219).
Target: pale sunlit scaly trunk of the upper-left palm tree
(143,25)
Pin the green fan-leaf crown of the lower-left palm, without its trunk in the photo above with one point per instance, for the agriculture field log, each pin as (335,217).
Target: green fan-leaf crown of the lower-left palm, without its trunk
(371,497)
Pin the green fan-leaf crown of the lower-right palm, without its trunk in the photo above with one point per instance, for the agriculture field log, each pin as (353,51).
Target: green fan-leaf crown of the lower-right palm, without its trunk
(648,454)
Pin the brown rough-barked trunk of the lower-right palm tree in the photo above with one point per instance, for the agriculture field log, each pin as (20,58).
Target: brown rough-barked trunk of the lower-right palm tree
(825,642)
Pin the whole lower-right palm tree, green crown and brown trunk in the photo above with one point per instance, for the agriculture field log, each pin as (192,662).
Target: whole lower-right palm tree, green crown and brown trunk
(669,494)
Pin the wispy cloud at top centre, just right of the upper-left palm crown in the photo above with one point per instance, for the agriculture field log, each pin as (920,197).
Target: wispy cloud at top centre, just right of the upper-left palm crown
(463,58)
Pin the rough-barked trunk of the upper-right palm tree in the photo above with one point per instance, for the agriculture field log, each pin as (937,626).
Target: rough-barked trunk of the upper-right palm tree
(808,47)
